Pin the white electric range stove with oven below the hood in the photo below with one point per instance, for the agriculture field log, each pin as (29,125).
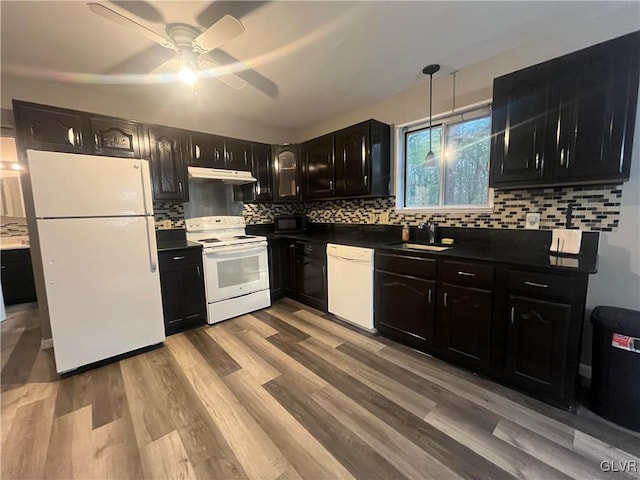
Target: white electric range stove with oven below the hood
(236,266)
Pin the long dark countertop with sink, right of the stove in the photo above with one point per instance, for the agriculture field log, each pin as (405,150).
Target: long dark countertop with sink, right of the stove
(525,248)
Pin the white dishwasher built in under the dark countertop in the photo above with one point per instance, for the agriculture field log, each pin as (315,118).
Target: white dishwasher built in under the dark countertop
(350,284)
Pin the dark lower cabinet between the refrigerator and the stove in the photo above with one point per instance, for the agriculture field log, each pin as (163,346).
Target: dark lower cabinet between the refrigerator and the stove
(182,283)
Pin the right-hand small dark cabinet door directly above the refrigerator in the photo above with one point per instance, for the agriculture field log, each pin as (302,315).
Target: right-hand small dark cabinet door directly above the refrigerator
(116,138)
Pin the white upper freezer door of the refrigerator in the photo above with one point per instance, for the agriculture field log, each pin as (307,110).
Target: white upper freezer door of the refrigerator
(72,185)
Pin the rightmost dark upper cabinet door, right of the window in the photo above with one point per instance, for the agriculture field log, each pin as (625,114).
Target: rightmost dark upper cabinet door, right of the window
(598,90)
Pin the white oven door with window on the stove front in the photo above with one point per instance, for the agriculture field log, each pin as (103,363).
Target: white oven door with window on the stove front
(235,271)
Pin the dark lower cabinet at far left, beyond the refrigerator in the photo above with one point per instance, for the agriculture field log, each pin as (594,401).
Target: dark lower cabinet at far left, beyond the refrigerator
(17,277)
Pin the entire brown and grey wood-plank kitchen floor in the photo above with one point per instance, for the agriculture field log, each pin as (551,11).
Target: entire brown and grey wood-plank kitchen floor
(286,392)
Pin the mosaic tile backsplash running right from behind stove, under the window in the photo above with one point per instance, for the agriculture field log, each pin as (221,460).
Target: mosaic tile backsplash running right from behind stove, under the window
(596,208)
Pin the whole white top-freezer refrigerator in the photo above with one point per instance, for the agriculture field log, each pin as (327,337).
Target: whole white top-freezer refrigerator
(96,235)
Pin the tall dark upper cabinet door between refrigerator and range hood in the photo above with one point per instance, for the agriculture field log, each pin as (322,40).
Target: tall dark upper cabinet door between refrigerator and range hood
(168,171)
